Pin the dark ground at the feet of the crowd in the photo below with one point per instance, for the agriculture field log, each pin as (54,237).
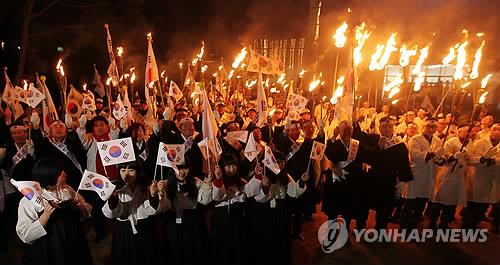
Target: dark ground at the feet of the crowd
(309,251)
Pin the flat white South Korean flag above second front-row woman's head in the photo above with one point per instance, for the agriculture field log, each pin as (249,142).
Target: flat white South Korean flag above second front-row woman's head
(116,151)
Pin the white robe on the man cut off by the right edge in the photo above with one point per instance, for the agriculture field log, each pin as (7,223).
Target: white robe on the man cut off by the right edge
(485,181)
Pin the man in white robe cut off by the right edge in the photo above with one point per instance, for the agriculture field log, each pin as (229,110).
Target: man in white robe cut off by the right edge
(485,177)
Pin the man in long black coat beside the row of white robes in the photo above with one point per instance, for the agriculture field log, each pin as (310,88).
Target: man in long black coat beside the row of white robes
(390,164)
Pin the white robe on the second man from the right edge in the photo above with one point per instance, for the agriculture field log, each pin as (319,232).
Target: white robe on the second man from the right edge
(450,186)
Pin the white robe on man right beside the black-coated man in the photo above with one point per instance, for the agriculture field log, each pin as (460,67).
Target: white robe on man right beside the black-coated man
(422,185)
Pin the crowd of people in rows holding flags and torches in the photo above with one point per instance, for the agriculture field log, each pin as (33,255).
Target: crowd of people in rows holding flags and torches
(234,209)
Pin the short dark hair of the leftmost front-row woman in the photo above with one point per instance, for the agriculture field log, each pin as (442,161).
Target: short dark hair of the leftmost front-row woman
(46,171)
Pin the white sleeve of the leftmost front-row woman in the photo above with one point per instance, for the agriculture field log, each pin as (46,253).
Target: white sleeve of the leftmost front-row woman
(28,226)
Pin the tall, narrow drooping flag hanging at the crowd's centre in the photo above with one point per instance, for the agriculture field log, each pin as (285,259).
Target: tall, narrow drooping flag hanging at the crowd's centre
(209,125)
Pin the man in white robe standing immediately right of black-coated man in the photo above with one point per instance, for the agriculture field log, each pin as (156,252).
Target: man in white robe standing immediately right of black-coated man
(425,151)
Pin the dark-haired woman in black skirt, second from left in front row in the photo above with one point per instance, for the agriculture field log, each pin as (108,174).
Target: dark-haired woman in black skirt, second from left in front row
(132,206)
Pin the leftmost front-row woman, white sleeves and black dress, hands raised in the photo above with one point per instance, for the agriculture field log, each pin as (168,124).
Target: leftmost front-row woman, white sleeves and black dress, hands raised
(50,227)
